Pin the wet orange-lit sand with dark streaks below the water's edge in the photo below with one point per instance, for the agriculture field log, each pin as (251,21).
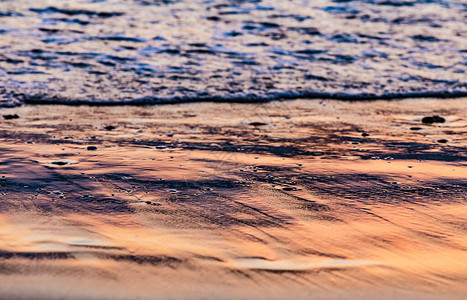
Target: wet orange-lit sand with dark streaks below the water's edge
(283,200)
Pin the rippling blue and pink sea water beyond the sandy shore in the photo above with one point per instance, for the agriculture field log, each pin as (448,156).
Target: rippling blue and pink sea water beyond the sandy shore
(149,51)
